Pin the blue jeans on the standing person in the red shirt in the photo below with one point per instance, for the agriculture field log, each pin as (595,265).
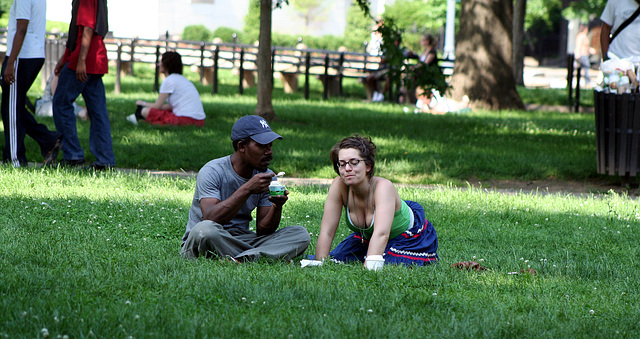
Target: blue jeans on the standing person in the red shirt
(92,90)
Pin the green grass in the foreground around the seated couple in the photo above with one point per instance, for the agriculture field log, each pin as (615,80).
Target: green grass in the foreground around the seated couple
(86,254)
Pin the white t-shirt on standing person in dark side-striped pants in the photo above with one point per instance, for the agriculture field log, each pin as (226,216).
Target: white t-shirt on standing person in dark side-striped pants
(36,12)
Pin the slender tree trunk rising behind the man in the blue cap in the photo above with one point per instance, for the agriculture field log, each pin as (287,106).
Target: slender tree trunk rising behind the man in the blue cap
(264,108)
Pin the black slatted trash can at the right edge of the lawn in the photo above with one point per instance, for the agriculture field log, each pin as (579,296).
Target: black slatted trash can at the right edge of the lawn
(617,133)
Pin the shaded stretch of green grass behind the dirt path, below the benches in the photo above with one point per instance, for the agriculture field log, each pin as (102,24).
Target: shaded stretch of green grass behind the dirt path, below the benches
(413,148)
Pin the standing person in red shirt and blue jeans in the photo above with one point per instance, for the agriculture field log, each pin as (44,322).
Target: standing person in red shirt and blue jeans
(80,71)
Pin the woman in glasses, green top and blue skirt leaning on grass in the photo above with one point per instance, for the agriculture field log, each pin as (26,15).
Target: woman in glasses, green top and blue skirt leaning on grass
(385,228)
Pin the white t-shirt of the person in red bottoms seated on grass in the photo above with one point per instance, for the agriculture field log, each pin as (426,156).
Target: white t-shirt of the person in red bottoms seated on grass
(183,96)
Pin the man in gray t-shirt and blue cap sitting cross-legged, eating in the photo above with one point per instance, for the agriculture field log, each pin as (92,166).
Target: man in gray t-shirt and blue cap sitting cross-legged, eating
(228,189)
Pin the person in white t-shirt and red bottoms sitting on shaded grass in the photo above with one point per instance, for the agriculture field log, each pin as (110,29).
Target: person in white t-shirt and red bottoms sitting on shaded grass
(178,102)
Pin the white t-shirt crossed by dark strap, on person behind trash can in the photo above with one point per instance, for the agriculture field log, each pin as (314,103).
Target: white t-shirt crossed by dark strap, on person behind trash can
(627,43)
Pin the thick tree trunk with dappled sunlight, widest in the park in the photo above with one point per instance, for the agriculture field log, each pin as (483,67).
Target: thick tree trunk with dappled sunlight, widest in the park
(483,69)
